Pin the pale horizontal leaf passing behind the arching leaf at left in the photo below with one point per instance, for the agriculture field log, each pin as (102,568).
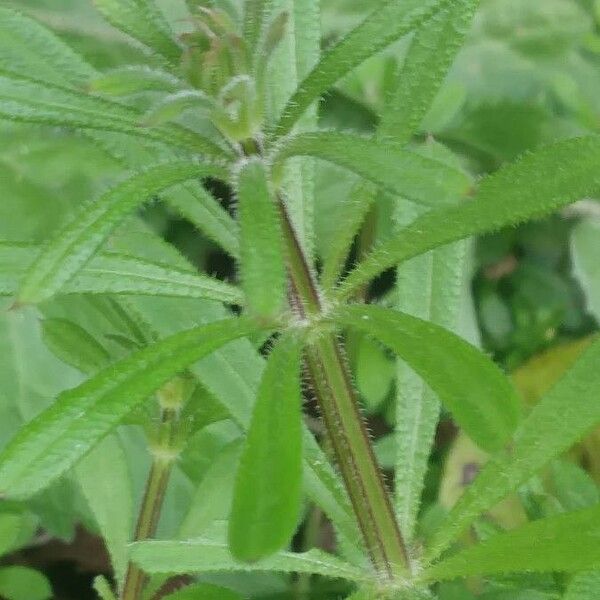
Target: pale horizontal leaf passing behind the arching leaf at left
(115,273)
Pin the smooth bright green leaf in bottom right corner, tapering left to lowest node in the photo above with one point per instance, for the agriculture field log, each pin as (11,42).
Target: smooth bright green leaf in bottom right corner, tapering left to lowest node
(568,542)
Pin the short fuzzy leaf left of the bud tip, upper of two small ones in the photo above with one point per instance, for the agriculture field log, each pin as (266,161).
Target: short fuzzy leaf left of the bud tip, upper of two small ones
(133,79)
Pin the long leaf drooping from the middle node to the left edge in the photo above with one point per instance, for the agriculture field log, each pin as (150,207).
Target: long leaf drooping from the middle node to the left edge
(56,439)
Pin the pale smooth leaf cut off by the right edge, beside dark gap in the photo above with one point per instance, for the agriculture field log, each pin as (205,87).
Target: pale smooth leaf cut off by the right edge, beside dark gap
(585,260)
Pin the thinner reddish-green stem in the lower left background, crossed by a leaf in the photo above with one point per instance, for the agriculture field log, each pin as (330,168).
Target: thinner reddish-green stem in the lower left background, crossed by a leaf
(164,456)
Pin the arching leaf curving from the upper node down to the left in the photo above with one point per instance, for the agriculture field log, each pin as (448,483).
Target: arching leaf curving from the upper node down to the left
(71,248)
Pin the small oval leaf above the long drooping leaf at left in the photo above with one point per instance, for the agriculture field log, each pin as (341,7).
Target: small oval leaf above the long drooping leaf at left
(74,345)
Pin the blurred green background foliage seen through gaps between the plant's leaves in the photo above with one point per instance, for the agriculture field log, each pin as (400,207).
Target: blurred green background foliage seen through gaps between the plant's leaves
(529,74)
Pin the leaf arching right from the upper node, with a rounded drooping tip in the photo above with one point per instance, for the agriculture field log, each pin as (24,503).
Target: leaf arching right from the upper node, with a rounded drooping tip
(390,166)
